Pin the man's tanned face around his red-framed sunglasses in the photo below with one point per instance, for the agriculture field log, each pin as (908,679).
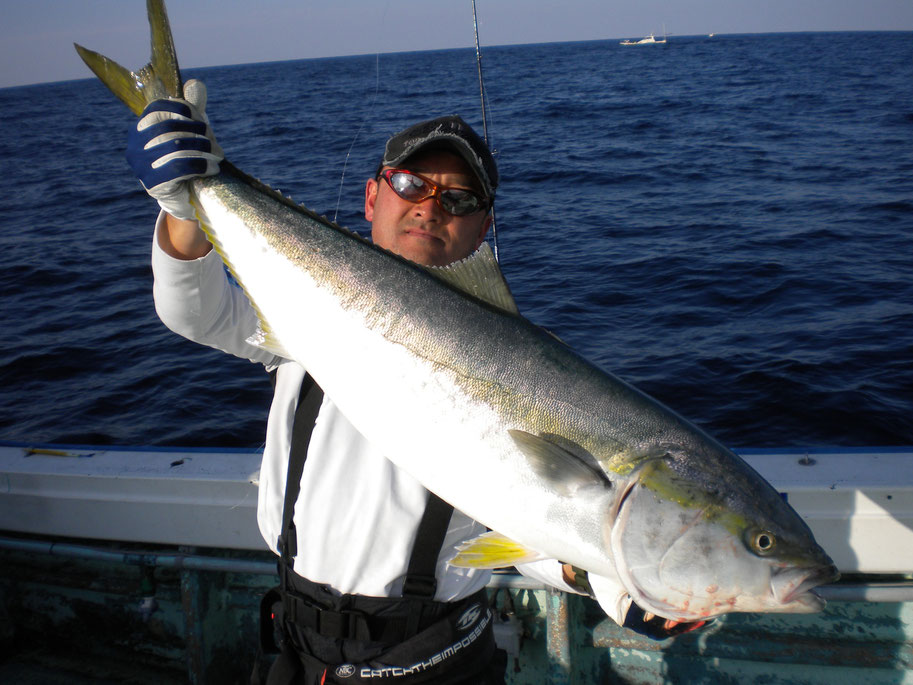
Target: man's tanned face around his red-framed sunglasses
(424,233)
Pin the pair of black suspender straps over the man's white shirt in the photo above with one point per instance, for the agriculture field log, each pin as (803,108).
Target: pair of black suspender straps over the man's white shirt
(420,580)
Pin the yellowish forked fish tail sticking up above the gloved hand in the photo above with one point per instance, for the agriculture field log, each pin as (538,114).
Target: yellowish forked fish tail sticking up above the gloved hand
(161,78)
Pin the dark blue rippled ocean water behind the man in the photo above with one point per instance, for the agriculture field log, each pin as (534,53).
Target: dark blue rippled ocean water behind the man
(726,223)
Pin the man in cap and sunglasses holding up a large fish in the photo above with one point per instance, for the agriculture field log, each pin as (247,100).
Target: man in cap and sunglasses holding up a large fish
(363,546)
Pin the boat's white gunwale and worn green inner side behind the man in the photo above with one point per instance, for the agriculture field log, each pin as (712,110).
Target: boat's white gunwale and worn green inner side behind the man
(145,565)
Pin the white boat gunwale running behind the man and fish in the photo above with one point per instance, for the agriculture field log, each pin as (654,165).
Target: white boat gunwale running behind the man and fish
(857,501)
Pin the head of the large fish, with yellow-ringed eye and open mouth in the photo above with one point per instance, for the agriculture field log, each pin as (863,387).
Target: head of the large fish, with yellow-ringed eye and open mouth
(689,544)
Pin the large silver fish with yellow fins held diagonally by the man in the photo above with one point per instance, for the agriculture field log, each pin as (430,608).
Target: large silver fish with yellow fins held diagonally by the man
(560,459)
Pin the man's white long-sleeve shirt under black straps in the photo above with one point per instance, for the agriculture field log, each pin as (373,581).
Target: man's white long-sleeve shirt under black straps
(357,513)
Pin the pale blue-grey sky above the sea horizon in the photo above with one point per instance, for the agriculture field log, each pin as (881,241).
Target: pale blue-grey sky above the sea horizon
(36,37)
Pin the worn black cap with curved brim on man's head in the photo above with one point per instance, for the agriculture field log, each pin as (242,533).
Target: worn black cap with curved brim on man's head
(450,131)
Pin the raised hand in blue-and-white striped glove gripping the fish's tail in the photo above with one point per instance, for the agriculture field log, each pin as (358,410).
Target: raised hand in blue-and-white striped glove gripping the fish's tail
(172,143)
